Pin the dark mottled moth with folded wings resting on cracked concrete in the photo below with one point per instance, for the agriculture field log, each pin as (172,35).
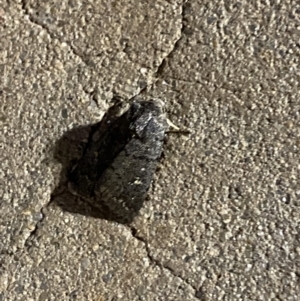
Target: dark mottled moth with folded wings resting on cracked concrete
(120,158)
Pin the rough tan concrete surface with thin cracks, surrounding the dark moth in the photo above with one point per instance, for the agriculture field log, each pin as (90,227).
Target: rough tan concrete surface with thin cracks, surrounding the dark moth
(223,217)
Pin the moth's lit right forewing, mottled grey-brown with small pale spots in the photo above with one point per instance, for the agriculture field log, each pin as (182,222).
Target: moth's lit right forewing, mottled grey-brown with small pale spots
(124,185)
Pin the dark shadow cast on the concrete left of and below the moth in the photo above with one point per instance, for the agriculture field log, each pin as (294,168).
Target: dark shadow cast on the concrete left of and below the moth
(68,149)
